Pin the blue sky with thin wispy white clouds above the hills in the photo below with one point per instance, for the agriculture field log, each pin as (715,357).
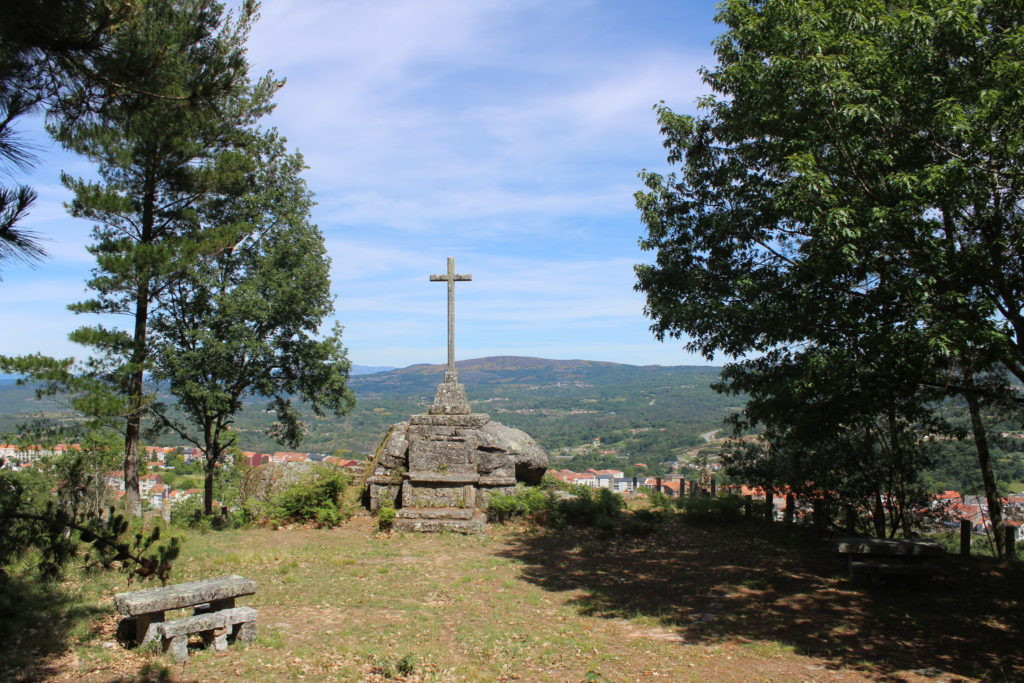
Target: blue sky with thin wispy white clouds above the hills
(505,134)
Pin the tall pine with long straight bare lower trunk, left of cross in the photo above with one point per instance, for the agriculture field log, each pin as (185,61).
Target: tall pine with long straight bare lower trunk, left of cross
(168,143)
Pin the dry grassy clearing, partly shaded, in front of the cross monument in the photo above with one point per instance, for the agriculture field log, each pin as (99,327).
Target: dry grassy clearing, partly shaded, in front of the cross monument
(736,604)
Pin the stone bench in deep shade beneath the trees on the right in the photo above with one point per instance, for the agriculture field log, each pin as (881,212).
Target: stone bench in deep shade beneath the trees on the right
(878,559)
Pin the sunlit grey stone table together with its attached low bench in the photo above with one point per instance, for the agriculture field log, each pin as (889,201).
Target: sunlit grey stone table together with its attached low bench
(214,604)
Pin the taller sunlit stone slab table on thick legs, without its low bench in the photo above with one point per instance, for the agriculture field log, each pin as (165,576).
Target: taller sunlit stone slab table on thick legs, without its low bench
(147,608)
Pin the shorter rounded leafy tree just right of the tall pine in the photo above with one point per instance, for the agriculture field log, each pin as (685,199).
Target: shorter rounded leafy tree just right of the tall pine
(244,323)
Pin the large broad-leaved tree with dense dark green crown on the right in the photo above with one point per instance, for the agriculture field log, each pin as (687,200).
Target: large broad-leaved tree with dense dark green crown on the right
(852,186)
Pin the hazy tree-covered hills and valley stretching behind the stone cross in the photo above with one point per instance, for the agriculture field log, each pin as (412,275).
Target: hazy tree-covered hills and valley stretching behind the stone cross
(639,413)
